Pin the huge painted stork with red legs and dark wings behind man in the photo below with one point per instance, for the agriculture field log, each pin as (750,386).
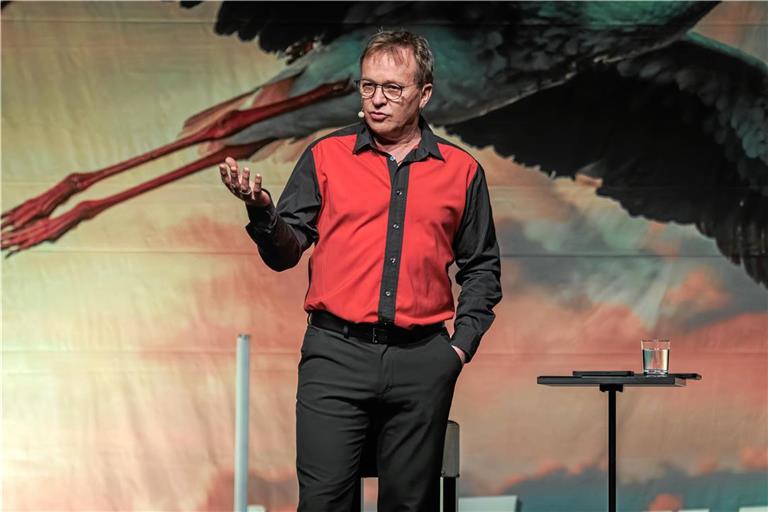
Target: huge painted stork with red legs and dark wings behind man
(537,81)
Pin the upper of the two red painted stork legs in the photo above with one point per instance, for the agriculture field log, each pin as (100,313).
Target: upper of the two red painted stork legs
(230,123)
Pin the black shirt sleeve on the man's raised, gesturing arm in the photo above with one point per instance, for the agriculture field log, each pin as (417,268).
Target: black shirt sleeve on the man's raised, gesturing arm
(284,232)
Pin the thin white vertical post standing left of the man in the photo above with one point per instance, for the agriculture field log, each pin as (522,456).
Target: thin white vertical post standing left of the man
(241,422)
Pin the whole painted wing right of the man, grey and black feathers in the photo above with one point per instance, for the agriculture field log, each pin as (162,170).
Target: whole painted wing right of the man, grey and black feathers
(674,135)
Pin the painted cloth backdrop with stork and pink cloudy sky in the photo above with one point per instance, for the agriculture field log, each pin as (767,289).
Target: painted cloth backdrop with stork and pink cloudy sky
(118,332)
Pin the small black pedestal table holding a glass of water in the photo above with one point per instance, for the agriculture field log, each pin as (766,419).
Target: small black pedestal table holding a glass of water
(613,381)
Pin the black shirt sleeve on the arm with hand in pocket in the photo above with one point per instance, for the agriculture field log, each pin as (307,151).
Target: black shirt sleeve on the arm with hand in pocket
(477,257)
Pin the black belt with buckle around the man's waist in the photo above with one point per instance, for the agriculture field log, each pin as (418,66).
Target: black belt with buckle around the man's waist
(373,333)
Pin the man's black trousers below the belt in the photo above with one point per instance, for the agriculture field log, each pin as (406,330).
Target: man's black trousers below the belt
(346,389)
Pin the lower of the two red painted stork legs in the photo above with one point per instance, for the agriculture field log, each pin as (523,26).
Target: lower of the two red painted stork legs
(51,229)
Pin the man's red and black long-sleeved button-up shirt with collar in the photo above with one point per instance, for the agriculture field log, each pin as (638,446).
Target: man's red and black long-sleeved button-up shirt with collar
(385,233)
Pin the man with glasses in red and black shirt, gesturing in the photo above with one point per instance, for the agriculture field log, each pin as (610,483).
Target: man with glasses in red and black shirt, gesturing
(389,206)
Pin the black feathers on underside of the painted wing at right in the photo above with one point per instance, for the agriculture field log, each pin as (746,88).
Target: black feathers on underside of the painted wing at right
(646,143)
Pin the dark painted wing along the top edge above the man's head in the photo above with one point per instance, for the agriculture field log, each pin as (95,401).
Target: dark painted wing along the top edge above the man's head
(294,28)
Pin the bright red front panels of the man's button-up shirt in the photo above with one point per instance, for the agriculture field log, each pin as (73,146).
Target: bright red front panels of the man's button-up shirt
(356,190)
